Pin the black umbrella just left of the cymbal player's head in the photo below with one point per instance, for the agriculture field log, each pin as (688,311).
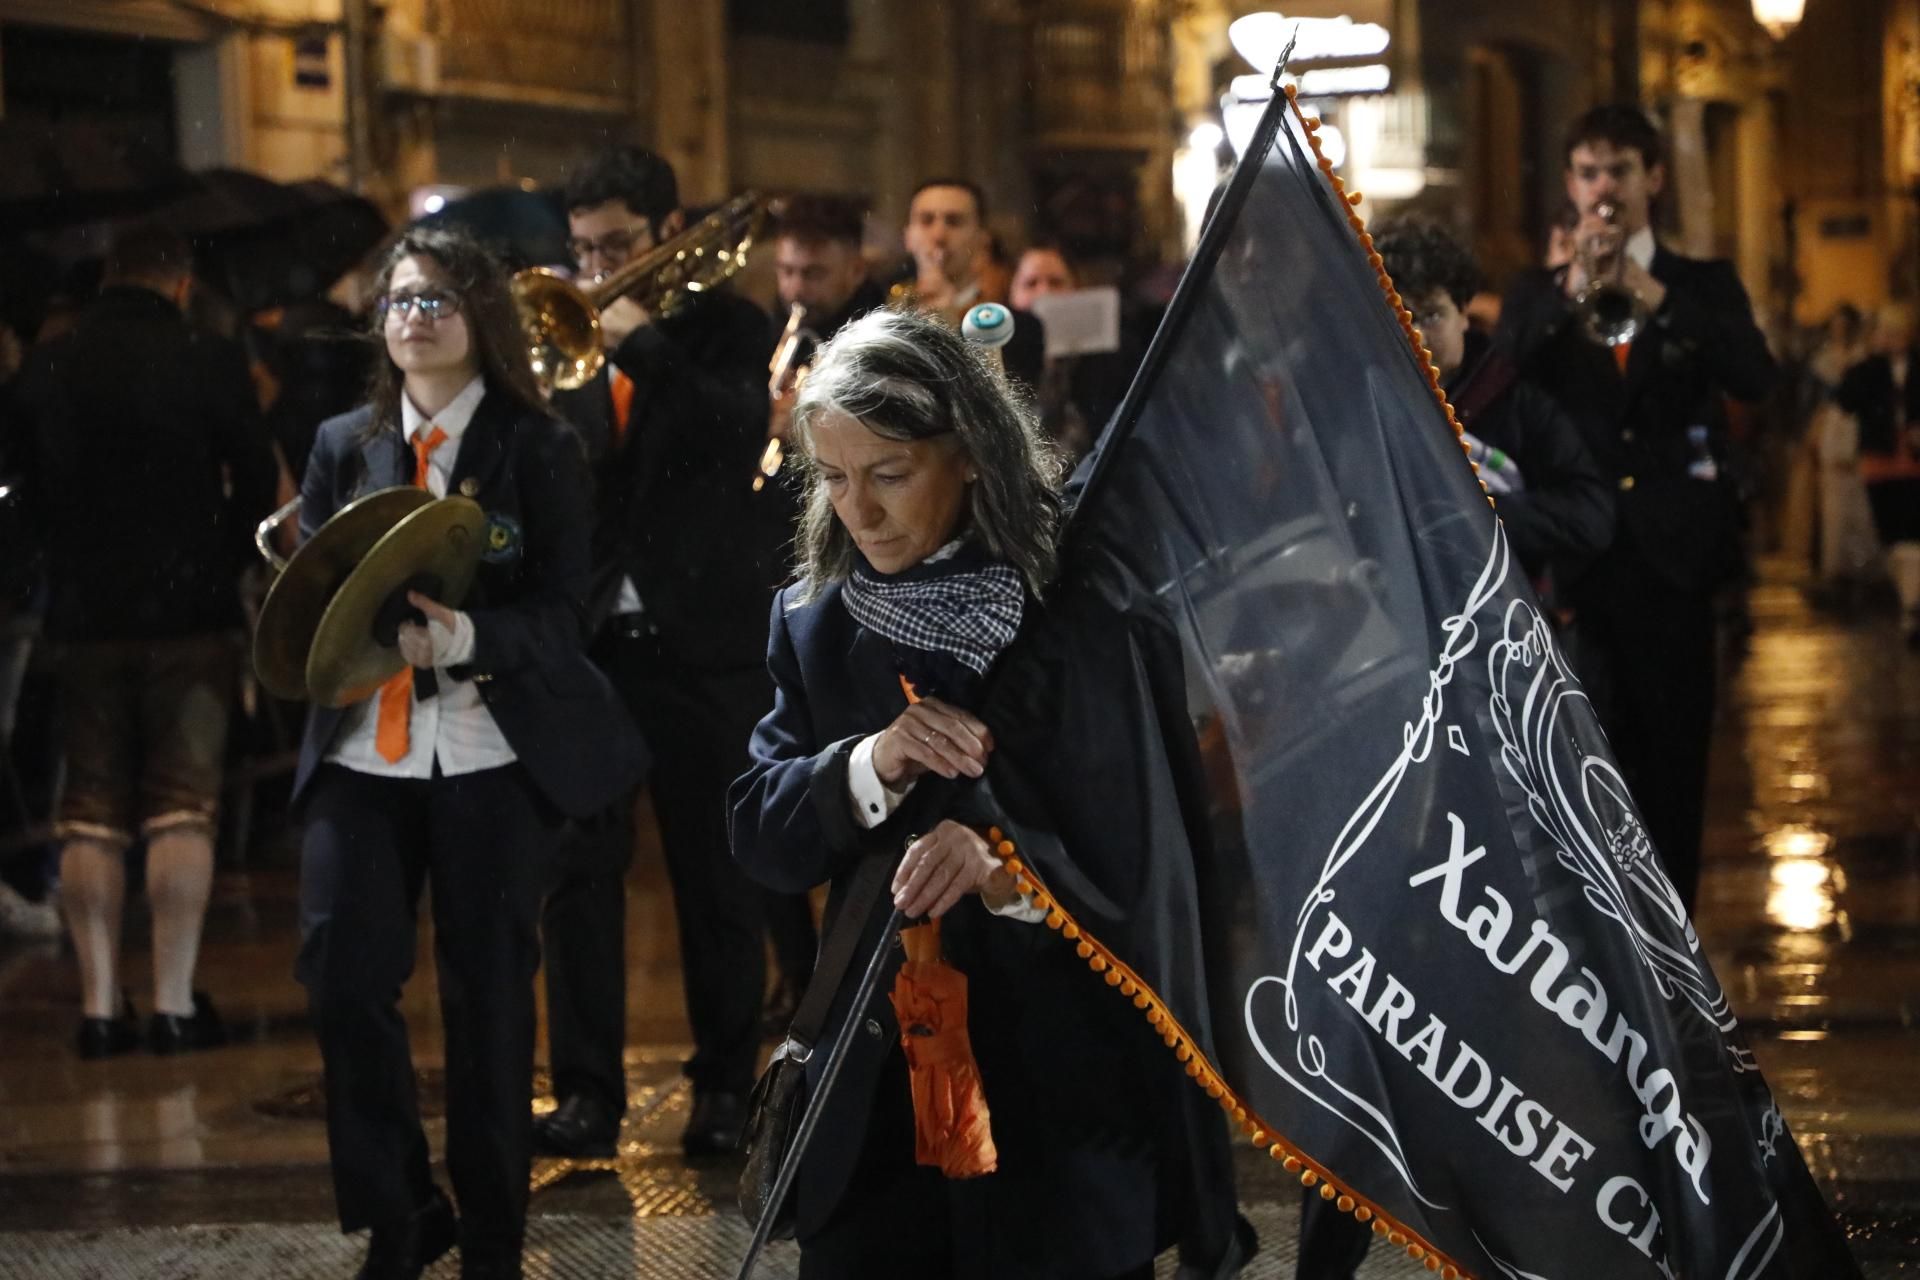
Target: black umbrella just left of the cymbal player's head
(270,245)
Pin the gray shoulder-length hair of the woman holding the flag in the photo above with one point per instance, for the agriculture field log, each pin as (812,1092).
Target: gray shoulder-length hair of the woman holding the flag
(909,377)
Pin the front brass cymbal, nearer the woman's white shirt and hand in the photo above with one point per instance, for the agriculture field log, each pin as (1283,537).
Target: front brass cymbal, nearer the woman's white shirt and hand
(437,550)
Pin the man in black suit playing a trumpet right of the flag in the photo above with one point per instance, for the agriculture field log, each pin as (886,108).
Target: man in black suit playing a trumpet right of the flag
(1652,414)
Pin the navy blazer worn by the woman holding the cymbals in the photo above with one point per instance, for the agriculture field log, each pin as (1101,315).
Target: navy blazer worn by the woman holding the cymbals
(556,709)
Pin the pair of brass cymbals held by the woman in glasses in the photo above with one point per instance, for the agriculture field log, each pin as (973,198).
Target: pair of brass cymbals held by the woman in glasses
(322,630)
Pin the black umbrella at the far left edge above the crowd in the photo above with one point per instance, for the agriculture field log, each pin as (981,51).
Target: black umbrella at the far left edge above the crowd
(57,174)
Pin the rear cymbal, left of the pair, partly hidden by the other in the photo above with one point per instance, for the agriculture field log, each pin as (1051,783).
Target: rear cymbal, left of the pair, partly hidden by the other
(300,594)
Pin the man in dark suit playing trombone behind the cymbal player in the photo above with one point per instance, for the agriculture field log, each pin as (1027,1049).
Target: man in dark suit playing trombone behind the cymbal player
(686,557)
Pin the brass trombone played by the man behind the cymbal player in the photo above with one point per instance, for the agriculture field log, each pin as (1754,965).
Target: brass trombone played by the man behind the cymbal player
(562,320)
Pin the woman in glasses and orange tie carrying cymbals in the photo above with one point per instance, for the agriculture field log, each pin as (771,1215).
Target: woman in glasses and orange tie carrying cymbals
(460,782)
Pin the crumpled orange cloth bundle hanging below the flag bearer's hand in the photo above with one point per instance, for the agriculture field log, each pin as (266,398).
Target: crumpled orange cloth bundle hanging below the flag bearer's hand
(951,1122)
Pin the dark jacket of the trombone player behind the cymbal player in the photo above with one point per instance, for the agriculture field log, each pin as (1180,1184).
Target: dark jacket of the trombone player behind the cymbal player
(677,510)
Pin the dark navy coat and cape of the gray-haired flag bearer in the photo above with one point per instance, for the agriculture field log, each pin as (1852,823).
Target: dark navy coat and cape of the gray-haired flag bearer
(1090,1110)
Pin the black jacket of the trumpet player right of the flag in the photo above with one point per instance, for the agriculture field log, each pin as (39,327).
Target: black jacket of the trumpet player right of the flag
(1696,350)
